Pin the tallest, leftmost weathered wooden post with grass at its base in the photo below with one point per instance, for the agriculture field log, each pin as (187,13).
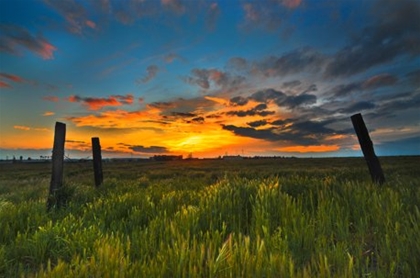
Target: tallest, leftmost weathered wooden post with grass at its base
(57,166)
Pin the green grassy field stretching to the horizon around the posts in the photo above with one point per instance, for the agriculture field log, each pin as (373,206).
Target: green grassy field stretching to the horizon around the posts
(250,218)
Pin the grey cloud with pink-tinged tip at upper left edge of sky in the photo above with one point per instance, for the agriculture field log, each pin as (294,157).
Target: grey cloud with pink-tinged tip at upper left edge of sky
(13,38)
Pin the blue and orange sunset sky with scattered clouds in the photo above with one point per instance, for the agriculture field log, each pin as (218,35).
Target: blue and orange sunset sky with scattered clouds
(209,78)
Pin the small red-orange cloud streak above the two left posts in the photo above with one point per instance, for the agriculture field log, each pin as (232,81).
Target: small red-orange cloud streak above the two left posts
(98,103)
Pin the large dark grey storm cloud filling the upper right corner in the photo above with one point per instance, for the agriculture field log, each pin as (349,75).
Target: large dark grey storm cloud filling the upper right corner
(395,32)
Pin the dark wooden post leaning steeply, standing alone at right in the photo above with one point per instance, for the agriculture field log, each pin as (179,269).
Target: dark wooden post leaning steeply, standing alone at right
(366,144)
